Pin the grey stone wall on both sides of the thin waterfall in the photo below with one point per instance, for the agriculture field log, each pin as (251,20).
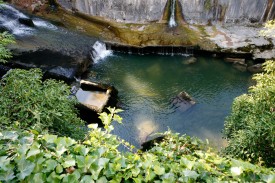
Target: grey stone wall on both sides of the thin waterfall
(193,11)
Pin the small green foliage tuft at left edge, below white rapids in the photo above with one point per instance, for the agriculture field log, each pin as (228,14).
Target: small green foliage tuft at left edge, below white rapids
(5,39)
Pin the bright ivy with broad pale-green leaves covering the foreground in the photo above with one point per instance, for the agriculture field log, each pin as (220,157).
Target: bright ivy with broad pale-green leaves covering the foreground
(27,157)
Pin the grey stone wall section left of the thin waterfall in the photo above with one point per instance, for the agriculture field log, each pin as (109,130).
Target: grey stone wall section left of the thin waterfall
(121,10)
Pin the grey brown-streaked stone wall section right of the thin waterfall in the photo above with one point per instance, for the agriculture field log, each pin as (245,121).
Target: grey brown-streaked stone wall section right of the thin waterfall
(227,11)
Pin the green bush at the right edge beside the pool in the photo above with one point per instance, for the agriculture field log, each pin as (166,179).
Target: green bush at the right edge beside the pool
(250,129)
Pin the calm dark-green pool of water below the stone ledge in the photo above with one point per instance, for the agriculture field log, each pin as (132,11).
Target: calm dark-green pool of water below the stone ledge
(147,85)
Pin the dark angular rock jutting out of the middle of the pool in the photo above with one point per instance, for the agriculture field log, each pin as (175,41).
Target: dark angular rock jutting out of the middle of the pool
(183,101)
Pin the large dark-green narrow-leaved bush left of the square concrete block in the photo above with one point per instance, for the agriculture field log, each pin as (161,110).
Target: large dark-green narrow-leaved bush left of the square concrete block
(29,103)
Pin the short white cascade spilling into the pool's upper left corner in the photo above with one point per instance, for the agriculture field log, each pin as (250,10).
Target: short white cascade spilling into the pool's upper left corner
(99,51)
